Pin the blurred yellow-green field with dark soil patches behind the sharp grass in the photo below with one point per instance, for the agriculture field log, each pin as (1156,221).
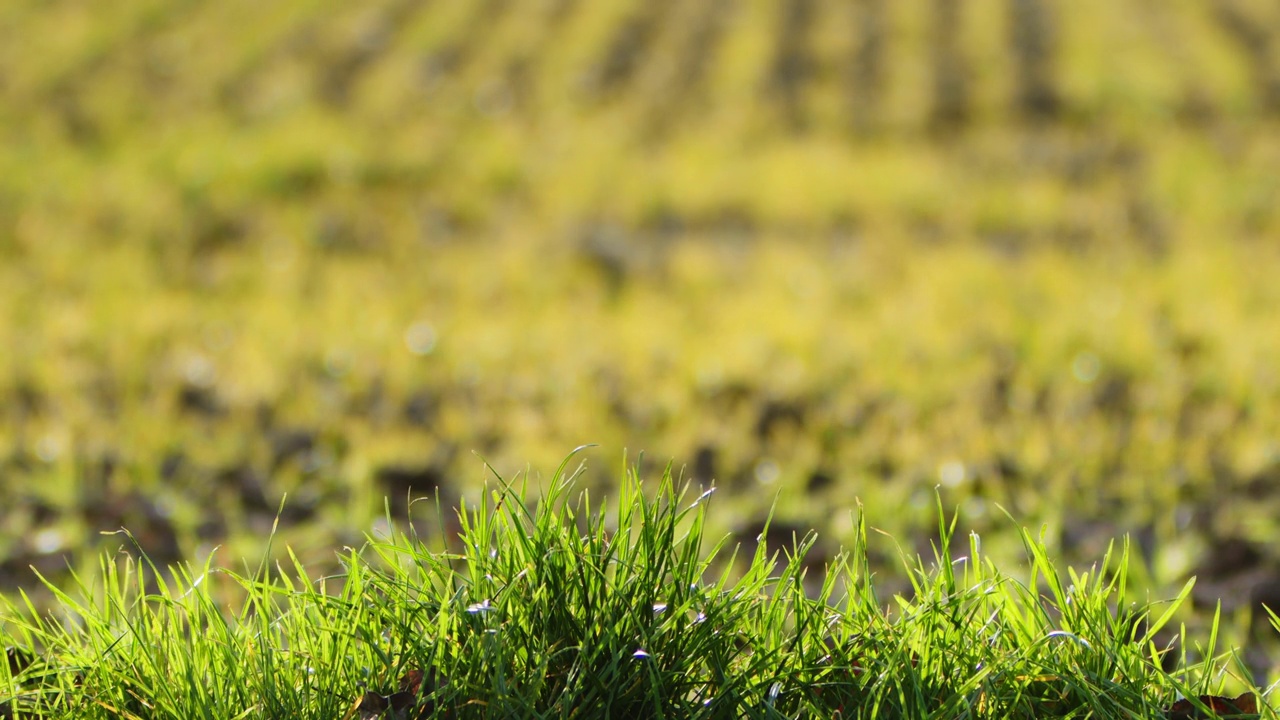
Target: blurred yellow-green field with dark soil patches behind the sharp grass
(819,252)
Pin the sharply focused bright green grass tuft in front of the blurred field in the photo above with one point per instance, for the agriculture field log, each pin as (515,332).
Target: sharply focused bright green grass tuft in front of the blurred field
(566,609)
